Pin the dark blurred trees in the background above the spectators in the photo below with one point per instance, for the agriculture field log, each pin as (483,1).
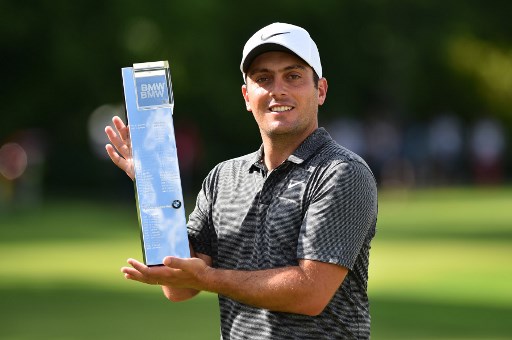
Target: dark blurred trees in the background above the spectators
(61,60)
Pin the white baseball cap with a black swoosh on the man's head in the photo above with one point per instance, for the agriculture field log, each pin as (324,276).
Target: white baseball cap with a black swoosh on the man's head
(282,37)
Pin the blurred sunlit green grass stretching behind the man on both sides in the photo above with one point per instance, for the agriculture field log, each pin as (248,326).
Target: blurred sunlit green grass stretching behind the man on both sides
(440,269)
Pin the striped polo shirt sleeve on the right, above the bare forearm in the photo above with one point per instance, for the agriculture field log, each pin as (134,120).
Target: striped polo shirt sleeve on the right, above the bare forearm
(341,214)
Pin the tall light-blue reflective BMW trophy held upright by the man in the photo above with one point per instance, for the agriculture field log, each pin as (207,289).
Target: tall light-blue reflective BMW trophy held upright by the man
(159,197)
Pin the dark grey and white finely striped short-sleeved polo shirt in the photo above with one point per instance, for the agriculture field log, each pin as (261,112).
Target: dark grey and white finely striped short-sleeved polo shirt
(320,204)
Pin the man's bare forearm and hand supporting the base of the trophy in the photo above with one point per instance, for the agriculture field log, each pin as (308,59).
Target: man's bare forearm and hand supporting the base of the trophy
(303,289)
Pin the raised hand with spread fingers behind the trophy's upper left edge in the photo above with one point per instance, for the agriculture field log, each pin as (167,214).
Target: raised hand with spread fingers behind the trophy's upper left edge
(120,151)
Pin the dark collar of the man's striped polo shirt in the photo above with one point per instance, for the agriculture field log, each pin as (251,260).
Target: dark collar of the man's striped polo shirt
(306,149)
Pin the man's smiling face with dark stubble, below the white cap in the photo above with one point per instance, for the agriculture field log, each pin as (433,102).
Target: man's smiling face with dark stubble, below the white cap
(281,94)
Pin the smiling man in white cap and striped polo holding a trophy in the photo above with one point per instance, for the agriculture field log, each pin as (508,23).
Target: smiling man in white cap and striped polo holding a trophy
(282,235)
